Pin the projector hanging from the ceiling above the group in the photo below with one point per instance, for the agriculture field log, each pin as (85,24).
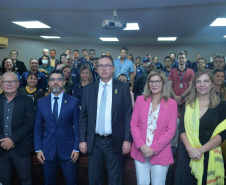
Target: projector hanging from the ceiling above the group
(113,24)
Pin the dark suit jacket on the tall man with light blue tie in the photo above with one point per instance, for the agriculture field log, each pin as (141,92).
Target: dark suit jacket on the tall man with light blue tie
(121,114)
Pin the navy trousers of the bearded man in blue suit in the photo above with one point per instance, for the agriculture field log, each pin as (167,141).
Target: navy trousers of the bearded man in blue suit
(68,168)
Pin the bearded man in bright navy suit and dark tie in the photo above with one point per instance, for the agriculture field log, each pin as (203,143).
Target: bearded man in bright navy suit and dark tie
(57,116)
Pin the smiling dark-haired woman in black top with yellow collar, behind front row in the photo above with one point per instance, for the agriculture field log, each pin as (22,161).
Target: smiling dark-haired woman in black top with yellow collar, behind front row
(31,90)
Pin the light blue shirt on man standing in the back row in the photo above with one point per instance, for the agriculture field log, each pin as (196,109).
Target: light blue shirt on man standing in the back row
(125,68)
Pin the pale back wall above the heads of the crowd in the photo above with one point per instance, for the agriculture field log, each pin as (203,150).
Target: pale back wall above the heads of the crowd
(28,49)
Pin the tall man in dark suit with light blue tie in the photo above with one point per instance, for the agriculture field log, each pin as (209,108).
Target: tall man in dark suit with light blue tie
(104,125)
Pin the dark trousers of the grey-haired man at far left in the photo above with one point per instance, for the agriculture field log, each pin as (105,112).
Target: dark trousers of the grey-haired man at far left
(22,166)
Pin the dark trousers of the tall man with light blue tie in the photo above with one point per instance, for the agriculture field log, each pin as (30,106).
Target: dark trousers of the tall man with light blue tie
(103,151)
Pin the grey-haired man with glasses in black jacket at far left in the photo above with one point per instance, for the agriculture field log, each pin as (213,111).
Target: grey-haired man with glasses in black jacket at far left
(17,116)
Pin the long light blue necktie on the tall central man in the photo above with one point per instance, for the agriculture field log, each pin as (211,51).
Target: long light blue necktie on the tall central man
(102,110)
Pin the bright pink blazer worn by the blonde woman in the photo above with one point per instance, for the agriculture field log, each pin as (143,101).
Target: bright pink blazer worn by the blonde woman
(166,128)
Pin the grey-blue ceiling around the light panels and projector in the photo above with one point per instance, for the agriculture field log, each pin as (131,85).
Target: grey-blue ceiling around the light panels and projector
(79,21)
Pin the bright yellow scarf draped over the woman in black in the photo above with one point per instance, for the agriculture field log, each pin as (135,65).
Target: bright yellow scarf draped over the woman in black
(215,173)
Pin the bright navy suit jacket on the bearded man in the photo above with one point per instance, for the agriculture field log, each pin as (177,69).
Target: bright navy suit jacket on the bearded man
(61,136)
